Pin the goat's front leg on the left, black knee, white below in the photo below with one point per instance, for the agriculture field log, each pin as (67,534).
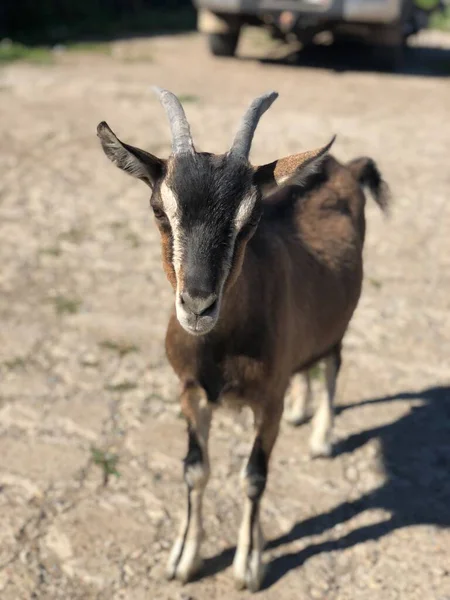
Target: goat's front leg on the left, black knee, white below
(184,560)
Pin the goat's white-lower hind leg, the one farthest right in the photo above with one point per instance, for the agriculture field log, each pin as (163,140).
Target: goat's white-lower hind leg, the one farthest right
(322,424)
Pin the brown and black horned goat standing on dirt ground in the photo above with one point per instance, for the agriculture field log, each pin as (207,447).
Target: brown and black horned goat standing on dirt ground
(266,266)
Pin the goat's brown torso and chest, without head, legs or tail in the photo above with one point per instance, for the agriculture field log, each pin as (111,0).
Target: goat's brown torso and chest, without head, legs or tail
(299,285)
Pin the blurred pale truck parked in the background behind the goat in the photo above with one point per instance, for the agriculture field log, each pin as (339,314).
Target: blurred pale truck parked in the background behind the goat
(385,24)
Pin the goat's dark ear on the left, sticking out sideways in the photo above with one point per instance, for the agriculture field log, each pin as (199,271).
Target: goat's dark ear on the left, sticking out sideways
(133,161)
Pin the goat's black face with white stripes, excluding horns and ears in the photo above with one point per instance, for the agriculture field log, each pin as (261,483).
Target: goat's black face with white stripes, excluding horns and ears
(211,204)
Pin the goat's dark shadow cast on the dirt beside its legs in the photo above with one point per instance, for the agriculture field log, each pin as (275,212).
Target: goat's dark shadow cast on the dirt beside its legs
(415,451)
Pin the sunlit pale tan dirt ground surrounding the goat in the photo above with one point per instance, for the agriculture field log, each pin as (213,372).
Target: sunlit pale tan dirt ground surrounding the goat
(83,309)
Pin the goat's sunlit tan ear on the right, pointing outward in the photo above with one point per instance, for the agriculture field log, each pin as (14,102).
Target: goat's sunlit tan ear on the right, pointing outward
(291,170)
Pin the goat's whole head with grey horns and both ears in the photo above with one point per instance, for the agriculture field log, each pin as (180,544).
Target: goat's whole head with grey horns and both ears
(206,206)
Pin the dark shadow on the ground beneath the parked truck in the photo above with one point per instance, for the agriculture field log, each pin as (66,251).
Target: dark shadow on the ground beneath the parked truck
(417,61)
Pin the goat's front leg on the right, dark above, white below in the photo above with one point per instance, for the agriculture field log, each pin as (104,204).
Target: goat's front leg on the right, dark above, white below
(248,566)
